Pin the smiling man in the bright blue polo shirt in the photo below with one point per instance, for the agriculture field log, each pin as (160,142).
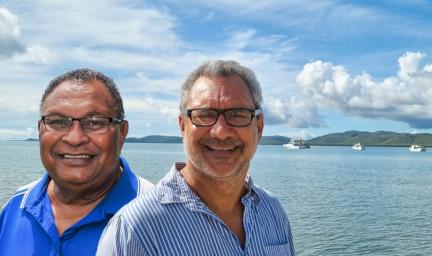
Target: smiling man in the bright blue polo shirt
(81,133)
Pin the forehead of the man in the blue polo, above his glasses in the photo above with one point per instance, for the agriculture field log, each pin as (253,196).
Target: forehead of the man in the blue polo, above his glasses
(70,96)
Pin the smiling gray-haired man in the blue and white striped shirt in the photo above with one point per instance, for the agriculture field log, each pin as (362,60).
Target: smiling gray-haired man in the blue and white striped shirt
(208,205)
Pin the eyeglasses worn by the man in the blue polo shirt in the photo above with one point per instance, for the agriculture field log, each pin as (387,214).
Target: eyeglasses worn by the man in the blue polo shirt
(89,124)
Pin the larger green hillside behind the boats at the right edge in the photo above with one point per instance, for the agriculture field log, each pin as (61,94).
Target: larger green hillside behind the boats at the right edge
(380,138)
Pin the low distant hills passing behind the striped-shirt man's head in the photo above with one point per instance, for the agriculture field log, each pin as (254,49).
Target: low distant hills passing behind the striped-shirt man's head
(265,140)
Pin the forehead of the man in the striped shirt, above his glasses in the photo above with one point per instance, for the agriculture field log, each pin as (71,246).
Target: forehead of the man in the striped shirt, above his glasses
(220,92)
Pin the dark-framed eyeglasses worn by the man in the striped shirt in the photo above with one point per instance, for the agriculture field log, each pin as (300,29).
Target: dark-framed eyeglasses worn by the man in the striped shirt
(233,117)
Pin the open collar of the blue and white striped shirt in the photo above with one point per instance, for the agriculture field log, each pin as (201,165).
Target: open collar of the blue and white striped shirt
(174,189)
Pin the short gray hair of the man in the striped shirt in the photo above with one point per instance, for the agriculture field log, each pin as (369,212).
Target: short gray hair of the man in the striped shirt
(224,68)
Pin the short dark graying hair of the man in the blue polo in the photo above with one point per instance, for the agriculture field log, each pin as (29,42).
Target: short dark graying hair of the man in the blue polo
(87,75)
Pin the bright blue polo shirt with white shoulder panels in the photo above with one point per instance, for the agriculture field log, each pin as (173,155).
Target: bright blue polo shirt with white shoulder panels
(27,223)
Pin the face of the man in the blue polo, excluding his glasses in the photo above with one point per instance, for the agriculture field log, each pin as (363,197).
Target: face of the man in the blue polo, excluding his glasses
(74,158)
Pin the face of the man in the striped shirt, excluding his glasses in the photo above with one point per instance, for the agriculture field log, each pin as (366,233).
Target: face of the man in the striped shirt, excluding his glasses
(220,151)
